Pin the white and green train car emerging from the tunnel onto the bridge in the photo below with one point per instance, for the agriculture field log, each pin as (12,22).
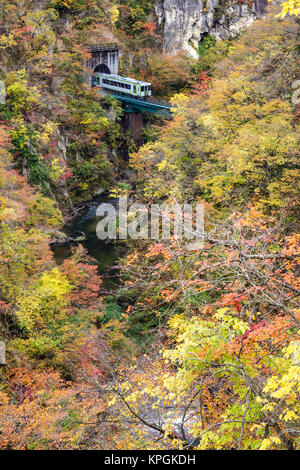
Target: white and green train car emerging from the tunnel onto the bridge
(122,86)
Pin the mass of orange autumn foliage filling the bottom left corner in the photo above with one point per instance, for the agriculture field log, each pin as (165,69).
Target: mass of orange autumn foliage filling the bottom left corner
(40,410)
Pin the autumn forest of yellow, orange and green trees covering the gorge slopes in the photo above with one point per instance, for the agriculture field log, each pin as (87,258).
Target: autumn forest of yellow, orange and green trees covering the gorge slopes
(191,349)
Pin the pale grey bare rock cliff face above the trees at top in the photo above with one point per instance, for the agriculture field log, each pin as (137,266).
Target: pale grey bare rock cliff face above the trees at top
(186,21)
